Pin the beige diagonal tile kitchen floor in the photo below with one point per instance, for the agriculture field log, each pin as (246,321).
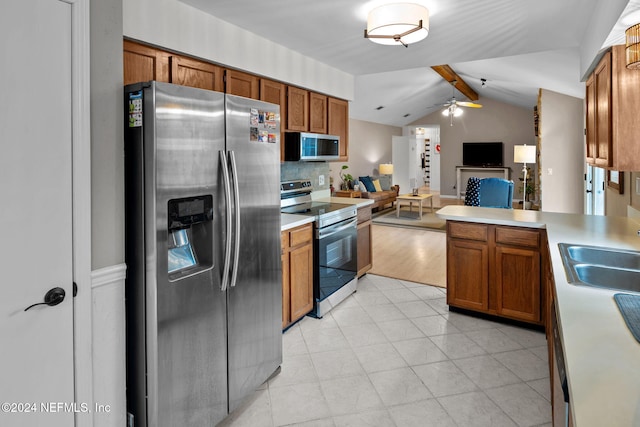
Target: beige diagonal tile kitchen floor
(393,355)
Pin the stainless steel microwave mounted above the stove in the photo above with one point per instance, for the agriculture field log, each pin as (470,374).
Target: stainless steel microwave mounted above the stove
(311,146)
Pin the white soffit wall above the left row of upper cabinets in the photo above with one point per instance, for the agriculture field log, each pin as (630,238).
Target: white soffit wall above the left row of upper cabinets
(174,25)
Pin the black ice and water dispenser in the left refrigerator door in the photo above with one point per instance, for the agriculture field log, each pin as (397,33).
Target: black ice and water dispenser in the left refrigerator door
(190,236)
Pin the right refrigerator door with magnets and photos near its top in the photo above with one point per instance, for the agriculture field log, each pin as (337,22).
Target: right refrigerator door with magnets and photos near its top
(255,299)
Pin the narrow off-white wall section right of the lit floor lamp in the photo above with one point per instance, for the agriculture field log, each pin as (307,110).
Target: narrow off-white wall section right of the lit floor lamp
(562,152)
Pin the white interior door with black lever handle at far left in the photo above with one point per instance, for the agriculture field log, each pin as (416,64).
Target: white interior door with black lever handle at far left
(36,212)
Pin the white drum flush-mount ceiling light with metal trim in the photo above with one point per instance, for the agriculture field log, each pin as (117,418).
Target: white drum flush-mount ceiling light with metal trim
(397,23)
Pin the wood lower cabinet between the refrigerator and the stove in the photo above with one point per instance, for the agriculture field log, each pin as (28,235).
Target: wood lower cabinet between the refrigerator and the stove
(297,273)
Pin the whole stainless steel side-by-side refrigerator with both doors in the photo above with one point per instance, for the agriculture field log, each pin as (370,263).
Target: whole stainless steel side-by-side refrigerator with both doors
(203,290)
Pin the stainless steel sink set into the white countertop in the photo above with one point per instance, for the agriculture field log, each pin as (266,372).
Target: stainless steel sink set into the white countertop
(601,267)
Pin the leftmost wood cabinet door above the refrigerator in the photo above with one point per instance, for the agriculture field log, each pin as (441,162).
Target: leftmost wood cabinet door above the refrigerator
(143,63)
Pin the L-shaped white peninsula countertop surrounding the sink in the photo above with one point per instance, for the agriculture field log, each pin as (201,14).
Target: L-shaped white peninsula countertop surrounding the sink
(602,357)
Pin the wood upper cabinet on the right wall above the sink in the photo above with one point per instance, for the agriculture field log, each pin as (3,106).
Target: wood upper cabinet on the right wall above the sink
(612,97)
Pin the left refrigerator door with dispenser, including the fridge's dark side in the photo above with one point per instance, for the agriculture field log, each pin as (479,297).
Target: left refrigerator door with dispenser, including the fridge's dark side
(177,356)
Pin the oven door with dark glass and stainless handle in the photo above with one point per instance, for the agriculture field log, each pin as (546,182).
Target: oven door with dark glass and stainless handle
(336,257)
